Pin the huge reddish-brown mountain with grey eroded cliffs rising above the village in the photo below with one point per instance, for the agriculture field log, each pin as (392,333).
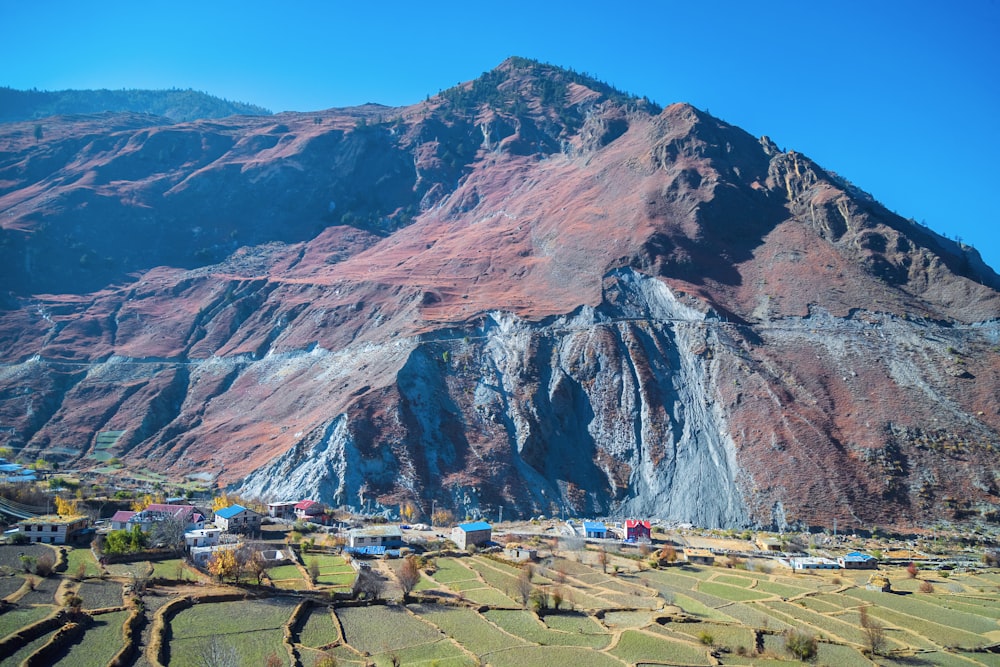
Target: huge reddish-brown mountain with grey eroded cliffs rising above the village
(530,291)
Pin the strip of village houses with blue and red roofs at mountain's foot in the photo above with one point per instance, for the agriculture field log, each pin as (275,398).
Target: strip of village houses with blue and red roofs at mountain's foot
(274,532)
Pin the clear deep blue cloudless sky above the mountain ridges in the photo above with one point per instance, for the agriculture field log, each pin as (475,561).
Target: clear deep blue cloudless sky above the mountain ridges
(901,98)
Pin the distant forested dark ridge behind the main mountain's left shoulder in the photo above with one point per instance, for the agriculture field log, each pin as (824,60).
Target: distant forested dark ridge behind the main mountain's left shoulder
(177,105)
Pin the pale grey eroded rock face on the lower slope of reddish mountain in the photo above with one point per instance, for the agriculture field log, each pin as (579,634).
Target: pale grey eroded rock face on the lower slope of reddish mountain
(609,411)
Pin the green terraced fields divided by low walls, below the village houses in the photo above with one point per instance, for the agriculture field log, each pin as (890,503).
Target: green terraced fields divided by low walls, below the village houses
(467,611)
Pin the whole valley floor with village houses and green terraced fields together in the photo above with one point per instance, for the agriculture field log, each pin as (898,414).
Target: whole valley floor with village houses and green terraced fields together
(133,586)
